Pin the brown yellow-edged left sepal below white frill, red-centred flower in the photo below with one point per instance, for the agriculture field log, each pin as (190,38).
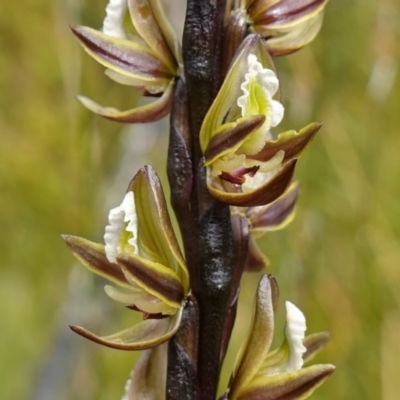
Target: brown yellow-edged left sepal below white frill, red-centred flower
(230,136)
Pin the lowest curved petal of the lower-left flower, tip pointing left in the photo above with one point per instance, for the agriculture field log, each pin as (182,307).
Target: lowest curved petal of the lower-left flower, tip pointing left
(144,335)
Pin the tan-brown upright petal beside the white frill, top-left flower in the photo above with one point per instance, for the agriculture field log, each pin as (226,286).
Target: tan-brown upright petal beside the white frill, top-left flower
(147,26)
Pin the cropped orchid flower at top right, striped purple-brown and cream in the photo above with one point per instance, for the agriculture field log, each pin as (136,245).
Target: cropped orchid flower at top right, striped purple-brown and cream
(286,25)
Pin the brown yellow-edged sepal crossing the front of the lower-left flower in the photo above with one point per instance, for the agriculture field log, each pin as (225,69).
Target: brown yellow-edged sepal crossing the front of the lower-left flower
(155,278)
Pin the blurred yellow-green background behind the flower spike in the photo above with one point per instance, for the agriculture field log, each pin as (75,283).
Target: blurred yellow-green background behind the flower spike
(62,168)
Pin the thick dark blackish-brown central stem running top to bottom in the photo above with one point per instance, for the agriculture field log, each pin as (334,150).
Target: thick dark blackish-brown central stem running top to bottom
(210,257)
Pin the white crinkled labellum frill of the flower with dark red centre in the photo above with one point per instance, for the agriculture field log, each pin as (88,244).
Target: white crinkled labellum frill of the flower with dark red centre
(267,79)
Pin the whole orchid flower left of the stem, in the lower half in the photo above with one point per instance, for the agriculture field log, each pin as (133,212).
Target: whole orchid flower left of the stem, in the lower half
(142,256)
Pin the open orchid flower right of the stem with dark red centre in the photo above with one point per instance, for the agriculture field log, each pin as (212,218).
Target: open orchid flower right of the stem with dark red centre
(246,165)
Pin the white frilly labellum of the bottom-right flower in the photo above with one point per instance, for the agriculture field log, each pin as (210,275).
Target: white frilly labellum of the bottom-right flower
(295,331)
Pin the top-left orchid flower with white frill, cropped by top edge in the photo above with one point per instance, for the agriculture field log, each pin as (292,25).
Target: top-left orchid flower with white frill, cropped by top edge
(138,47)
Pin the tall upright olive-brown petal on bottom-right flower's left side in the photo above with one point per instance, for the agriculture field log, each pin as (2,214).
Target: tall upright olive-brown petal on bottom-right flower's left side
(259,340)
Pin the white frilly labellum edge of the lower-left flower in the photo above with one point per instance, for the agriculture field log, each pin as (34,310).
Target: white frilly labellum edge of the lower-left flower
(117,218)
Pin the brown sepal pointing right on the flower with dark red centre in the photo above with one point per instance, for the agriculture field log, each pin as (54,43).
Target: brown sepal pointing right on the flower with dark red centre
(291,142)
